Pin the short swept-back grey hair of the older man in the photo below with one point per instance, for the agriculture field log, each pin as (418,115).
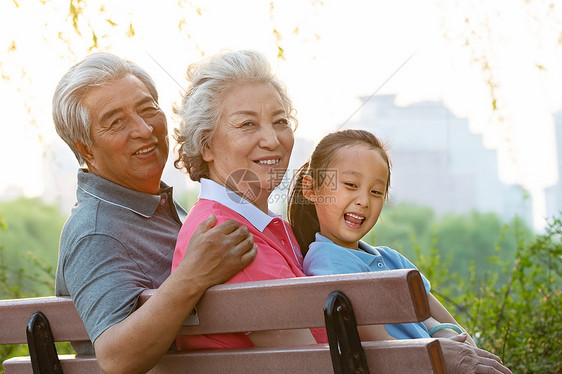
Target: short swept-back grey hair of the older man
(72,119)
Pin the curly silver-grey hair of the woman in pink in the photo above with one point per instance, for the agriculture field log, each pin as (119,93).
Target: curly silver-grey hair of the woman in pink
(200,109)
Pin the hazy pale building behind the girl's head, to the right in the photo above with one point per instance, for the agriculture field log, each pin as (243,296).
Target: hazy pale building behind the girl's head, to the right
(438,162)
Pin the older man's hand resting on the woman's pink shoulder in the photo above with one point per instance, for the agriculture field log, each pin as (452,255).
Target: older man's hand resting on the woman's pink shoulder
(216,254)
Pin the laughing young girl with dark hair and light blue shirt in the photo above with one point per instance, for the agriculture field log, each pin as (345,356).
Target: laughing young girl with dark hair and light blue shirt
(336,200)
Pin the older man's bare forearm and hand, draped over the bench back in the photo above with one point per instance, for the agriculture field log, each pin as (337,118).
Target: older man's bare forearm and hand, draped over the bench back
(214,255)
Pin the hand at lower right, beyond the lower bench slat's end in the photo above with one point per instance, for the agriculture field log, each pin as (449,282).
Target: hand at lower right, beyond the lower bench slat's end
(462,358)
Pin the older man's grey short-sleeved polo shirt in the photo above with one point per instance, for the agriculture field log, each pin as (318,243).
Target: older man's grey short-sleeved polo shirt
(116,243)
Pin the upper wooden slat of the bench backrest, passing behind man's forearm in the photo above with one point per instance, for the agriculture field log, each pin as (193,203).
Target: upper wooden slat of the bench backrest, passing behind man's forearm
(264,305)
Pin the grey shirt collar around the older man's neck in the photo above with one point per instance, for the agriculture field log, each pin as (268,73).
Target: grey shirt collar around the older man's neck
(139,202)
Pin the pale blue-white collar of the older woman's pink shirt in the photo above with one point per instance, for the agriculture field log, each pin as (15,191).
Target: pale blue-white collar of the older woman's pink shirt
(211,190)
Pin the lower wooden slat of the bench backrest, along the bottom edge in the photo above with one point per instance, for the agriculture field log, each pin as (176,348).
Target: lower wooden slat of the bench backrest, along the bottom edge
(400,356)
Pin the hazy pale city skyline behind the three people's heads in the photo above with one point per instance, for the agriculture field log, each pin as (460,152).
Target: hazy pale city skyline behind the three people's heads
(427,145)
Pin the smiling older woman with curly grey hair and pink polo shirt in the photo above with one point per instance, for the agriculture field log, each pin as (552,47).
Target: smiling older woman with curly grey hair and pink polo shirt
(236,138)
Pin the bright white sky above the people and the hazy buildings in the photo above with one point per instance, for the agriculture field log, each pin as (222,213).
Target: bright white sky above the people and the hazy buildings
(335,52)
